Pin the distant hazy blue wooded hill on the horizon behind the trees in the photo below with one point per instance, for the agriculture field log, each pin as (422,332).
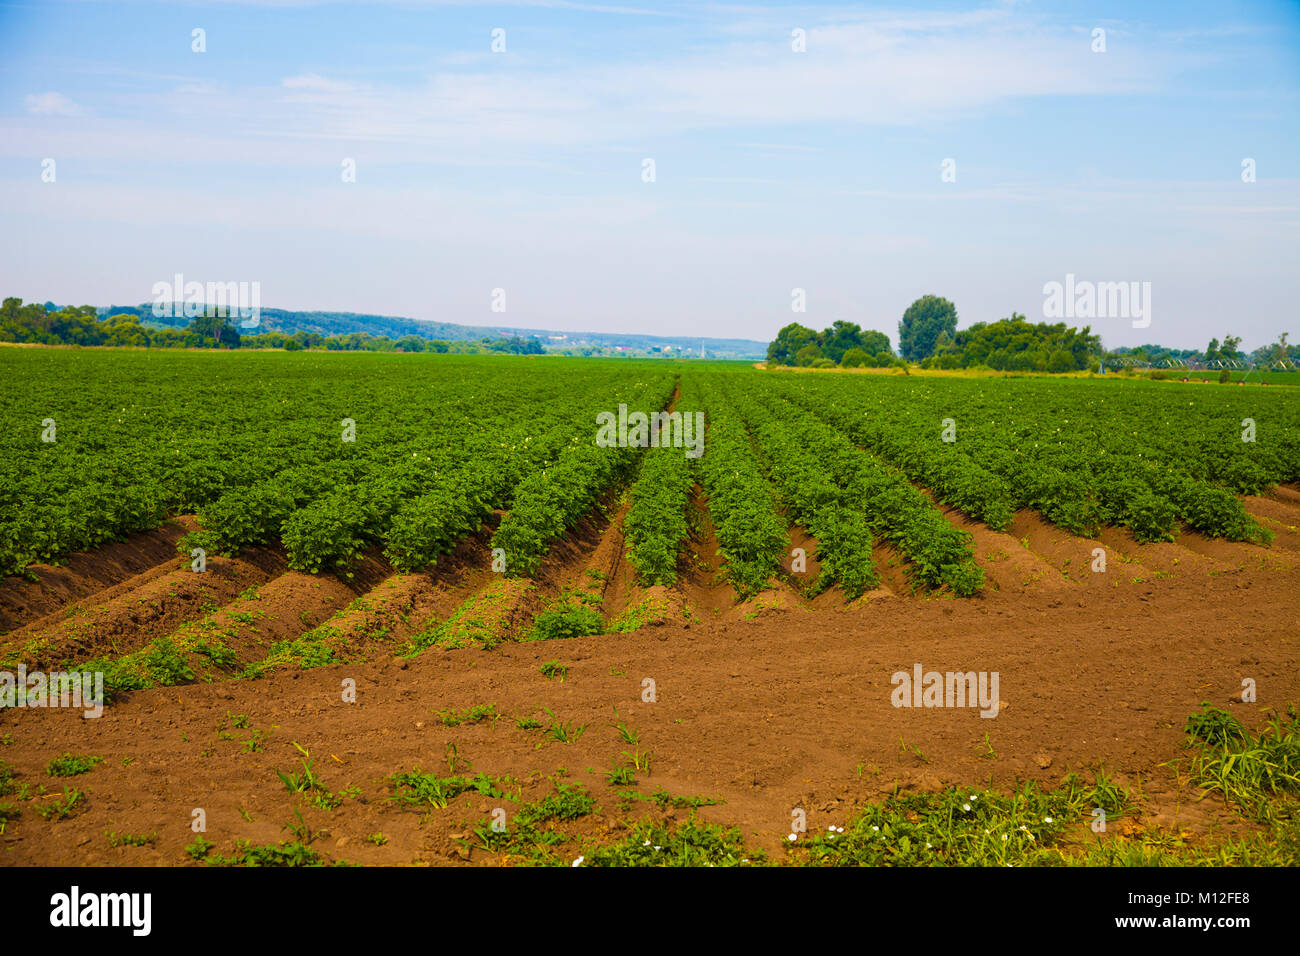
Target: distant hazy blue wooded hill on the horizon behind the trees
(344,323)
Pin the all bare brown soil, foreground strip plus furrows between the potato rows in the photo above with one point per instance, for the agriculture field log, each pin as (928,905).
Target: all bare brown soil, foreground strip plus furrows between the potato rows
(769,706)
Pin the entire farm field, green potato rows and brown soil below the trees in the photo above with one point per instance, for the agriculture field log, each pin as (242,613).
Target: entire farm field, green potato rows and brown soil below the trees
(618,644)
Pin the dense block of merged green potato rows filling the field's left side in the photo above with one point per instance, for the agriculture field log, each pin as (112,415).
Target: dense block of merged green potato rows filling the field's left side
(253,444)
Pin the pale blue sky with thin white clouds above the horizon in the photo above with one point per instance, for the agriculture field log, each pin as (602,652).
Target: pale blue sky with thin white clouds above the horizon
(865,154)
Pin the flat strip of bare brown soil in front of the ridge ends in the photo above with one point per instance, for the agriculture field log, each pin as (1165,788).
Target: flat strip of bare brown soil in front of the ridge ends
(774,713)
